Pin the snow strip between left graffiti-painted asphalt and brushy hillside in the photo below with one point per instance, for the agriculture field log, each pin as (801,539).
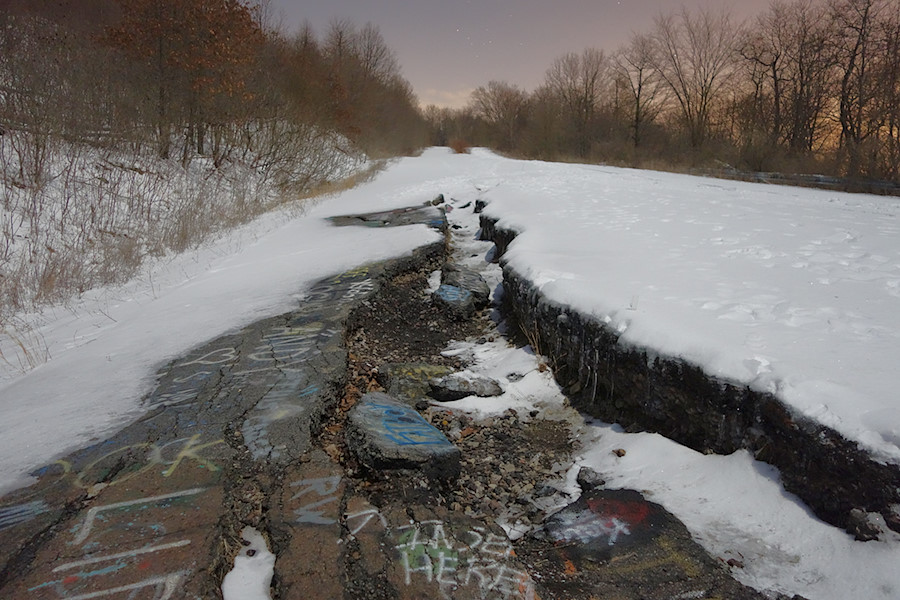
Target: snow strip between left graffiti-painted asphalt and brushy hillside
(105,346)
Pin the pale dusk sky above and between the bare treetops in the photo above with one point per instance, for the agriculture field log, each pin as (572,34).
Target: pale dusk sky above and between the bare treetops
(449,47)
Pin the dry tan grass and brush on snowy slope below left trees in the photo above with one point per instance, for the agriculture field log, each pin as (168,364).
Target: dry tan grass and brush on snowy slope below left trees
(87,217)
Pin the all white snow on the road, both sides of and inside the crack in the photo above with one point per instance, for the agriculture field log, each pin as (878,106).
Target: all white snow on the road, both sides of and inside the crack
(791,290)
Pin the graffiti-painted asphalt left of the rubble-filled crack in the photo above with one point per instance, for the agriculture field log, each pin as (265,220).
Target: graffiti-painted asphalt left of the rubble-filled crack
(160,505)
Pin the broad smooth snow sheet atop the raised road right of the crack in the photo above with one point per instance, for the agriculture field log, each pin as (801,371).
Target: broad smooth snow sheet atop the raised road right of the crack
(790,291)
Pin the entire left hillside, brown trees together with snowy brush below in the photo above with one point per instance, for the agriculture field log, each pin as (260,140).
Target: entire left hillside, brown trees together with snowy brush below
(136,128)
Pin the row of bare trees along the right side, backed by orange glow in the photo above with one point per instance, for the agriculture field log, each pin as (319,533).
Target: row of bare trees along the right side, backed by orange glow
(805,86)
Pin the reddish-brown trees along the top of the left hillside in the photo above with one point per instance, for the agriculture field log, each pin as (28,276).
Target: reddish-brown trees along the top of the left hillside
(194,78)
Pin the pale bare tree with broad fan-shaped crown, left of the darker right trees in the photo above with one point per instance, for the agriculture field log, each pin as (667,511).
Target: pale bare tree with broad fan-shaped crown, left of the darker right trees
(695,55)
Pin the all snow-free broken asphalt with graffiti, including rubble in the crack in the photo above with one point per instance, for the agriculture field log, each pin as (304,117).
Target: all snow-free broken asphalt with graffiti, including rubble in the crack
(281,426)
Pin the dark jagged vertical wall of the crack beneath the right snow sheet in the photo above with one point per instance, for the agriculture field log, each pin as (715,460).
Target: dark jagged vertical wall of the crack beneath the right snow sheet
(644,391)
